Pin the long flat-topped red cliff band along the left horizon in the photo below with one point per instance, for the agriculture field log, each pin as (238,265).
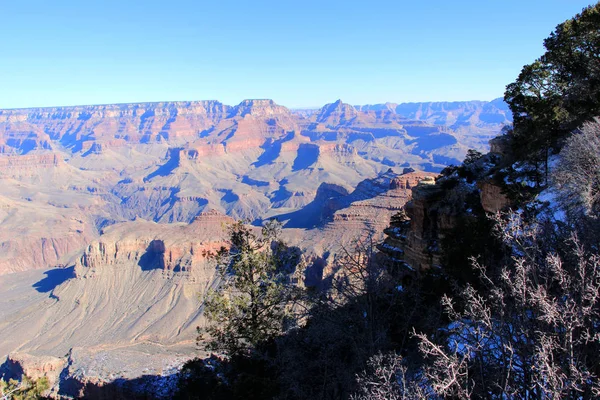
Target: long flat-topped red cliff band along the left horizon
(75,127)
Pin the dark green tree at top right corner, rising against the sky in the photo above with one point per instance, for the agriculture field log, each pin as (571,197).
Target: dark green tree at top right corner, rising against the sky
(558,92)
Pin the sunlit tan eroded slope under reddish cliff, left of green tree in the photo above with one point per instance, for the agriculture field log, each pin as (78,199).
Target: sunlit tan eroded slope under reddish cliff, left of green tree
(139,285)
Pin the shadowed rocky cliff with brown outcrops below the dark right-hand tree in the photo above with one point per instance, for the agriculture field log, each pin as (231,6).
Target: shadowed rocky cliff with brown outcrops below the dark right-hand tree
(466,193)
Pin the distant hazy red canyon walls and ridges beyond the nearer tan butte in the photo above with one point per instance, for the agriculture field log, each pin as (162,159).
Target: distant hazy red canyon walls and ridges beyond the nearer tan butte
(69,172)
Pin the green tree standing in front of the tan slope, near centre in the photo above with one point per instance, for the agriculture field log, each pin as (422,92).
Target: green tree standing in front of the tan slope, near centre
(251,306)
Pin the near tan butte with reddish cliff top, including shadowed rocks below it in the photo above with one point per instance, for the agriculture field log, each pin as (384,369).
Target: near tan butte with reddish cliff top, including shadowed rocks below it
(127,307)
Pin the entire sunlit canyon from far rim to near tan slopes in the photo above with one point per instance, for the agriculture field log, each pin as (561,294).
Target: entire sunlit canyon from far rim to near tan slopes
(108,214)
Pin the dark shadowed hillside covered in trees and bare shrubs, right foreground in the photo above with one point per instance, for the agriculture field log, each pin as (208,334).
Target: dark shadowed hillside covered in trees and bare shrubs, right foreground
(509,304)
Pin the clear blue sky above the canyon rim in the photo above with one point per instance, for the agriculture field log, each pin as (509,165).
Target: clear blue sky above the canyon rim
(300,53)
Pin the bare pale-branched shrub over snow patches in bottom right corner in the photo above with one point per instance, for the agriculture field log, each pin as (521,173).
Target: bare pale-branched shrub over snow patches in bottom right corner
(532,333)
